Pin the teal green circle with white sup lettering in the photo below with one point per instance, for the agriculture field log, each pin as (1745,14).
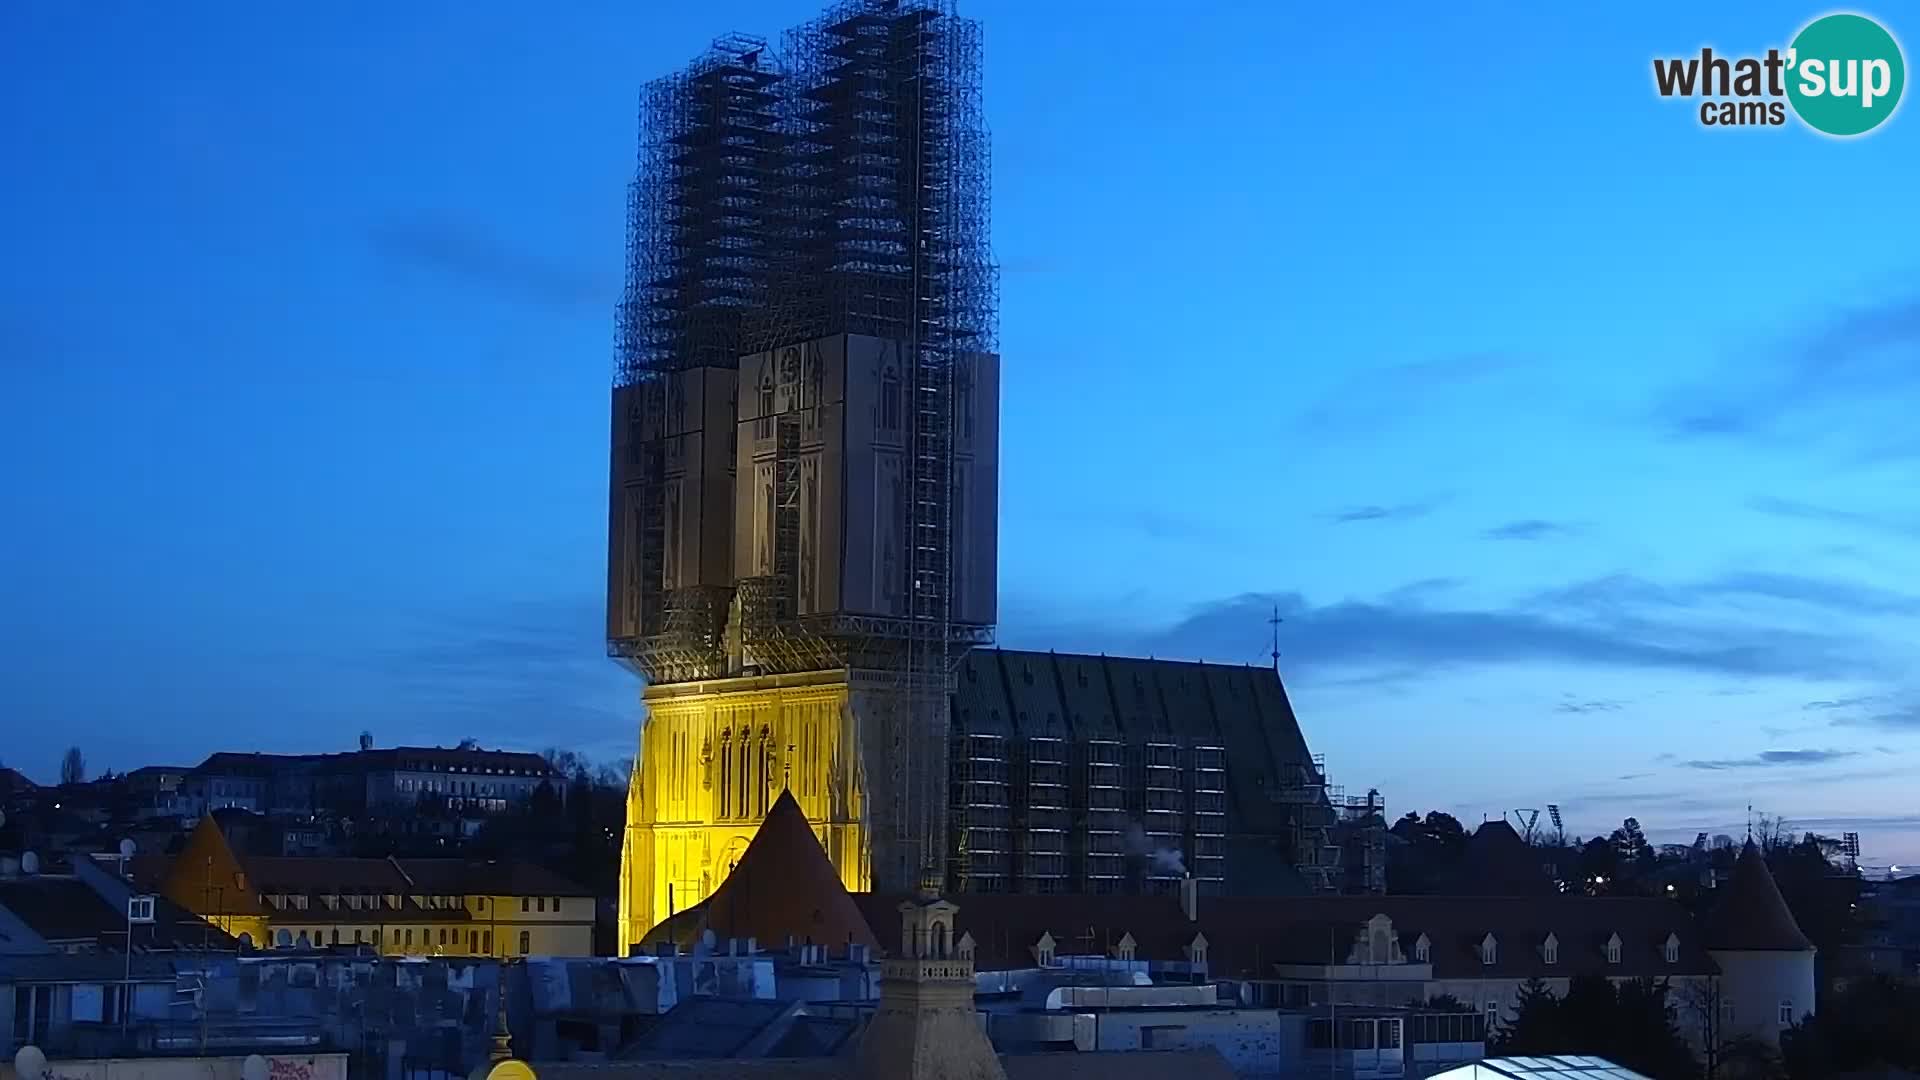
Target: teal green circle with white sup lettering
(1846,74)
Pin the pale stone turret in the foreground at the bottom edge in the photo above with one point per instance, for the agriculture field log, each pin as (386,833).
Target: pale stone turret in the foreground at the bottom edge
(926,1027)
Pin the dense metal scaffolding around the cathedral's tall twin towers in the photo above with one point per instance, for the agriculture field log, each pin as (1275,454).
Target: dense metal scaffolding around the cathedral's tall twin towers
(840,187)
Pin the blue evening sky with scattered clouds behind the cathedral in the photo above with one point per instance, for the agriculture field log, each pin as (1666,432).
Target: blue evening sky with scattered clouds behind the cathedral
(1573,441)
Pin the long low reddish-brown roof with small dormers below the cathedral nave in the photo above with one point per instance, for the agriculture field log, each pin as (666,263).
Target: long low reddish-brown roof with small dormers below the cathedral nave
(1247,937)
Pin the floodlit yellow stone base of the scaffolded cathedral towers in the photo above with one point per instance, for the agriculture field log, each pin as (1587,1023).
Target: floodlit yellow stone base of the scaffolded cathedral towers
(713,758)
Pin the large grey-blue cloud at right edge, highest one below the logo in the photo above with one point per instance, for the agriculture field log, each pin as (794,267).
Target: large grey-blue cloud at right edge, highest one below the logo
(1846,383)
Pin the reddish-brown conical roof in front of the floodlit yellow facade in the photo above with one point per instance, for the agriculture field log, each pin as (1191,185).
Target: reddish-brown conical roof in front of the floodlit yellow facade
(784,885)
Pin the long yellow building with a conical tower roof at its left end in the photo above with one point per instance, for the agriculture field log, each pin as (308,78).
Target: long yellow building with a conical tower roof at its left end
(396,906)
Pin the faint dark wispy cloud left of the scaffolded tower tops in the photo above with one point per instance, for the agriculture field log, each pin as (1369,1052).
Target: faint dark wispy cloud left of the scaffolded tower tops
(477,257)
